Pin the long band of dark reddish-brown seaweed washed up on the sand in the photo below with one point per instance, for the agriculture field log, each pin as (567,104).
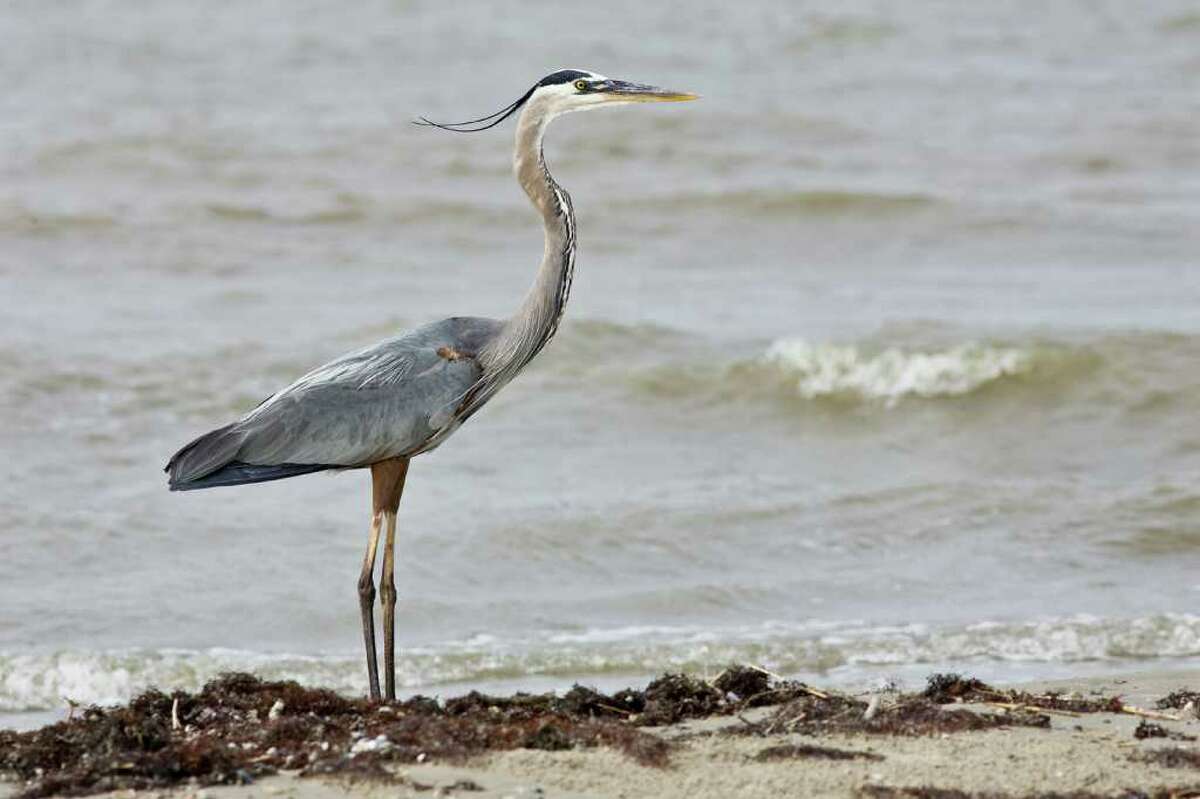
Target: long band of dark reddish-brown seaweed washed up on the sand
(238,728)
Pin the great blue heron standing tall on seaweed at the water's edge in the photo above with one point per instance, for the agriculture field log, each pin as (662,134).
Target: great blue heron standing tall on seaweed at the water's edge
(382,406)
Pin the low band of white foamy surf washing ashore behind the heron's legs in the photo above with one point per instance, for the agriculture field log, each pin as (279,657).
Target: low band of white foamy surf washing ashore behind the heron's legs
(45,682)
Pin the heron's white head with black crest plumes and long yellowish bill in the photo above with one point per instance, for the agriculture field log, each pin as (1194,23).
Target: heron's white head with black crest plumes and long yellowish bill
(571,91)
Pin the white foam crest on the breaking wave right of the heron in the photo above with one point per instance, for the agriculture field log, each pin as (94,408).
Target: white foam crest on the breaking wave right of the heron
(893,375)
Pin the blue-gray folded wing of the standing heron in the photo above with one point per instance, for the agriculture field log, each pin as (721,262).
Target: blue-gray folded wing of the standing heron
(385,401)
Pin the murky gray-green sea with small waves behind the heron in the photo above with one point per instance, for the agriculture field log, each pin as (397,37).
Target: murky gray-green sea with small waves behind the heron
(881,359)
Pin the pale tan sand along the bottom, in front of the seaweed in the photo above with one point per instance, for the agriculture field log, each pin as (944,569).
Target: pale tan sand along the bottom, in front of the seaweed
(739,755)
